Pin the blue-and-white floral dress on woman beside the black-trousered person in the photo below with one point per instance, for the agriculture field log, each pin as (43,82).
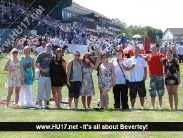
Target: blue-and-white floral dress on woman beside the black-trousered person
(105,80)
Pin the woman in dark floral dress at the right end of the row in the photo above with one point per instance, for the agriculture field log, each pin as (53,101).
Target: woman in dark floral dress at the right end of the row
(172,78)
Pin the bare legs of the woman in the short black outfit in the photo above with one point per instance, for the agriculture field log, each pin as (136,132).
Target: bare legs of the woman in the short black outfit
(56,92)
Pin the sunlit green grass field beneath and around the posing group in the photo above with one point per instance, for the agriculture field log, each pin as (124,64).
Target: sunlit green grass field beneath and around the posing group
(25,115)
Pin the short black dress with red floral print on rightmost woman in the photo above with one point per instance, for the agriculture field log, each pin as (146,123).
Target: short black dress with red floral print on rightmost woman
(171,68)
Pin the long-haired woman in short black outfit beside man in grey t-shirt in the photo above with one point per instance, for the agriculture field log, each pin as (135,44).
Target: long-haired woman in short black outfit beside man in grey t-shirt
(58,76)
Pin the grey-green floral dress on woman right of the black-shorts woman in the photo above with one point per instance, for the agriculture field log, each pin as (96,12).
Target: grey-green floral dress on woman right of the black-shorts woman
(87,88)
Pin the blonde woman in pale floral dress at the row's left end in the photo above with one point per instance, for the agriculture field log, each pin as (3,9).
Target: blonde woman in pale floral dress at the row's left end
(14,77)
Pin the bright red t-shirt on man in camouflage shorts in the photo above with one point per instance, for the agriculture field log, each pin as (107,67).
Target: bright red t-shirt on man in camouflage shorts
(154,64)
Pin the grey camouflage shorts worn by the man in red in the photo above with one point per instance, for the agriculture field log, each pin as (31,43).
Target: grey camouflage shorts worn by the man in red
(156,84)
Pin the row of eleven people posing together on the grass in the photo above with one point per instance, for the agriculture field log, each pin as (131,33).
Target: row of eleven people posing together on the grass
(77,76)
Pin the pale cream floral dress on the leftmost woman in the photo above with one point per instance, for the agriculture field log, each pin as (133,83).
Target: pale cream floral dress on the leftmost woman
(14,78)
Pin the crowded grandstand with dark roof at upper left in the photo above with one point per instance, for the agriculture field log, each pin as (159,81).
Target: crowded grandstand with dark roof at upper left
(64,18)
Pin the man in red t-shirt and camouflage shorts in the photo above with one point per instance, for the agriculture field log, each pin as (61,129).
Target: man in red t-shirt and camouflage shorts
(156,75)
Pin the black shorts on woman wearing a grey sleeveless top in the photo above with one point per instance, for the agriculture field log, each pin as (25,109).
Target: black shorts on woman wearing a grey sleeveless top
(74,89)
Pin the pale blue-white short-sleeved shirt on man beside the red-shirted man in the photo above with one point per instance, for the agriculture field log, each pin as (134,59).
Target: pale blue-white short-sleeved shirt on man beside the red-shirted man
(137,73)
